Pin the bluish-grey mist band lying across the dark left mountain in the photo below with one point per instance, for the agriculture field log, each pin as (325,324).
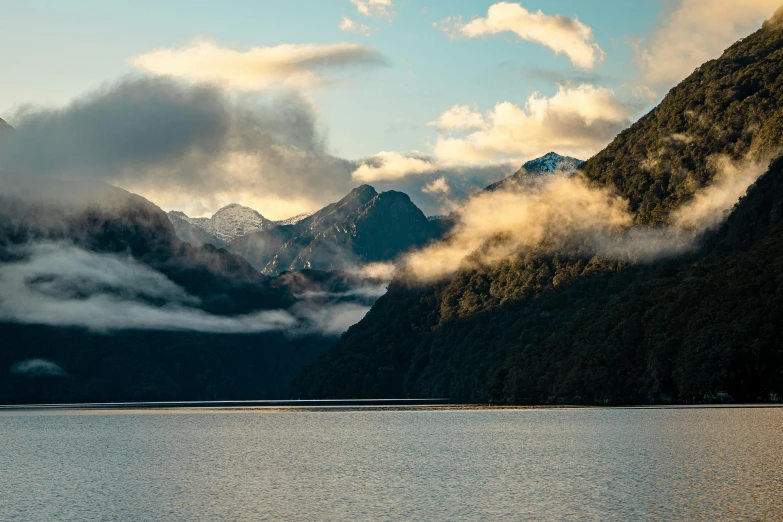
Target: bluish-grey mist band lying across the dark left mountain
(59,284)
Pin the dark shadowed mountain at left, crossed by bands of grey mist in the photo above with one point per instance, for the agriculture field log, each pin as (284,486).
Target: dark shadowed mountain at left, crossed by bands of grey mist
(101,301)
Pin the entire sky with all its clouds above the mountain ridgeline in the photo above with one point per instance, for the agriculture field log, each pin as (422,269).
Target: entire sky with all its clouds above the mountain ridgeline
(310,98)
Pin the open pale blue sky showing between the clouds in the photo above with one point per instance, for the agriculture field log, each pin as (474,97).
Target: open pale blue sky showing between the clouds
(67,48)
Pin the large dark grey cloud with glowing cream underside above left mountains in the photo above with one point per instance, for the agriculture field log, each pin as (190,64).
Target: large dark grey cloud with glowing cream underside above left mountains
(186,147)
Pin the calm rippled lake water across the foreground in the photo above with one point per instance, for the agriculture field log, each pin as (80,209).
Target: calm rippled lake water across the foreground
(602,464)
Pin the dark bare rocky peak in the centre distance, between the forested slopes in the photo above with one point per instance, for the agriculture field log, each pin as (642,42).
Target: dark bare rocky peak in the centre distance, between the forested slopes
(362,227)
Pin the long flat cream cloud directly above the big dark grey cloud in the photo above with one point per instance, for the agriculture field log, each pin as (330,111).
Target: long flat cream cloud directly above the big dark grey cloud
(286,65)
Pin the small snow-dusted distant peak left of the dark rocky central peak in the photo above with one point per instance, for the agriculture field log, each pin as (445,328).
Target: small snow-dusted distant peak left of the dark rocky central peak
(228,223)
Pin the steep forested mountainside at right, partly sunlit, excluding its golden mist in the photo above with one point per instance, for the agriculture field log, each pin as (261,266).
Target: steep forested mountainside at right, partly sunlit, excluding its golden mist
(573,327)
